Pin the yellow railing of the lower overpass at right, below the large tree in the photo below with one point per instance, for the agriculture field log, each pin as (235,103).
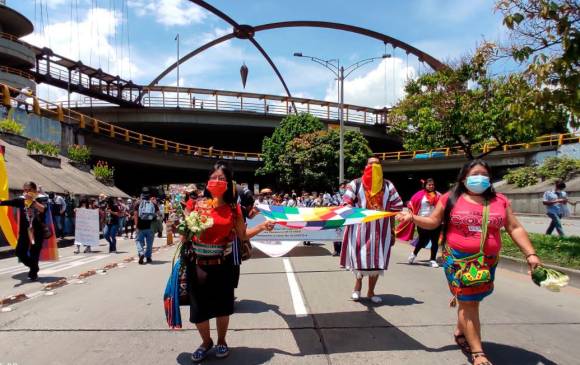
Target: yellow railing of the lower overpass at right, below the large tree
(552,140)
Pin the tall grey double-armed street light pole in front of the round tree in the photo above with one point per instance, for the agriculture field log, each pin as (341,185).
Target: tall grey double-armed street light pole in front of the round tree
(339,71)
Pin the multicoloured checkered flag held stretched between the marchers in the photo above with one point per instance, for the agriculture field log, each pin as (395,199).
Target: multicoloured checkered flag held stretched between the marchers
(320,218)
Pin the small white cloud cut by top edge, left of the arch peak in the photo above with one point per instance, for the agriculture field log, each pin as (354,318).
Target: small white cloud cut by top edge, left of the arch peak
(169,12)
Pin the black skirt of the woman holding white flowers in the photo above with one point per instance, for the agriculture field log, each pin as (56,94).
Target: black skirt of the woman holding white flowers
(211,290)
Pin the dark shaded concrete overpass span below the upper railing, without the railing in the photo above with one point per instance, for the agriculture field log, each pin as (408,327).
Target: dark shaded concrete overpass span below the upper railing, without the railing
(239,131)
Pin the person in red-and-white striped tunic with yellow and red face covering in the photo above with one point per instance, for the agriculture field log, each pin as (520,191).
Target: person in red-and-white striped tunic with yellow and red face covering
(366,247)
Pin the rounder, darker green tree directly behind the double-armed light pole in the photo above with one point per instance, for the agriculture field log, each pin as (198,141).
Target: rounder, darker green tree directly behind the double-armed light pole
(311,160)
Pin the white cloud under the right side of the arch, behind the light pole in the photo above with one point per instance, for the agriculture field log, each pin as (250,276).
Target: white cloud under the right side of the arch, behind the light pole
(383,85)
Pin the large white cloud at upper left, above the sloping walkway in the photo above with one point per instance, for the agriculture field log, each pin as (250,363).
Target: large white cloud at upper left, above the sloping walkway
(91,39)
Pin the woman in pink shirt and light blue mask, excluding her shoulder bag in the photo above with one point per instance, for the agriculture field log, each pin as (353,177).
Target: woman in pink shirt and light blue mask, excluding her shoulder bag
(461,211)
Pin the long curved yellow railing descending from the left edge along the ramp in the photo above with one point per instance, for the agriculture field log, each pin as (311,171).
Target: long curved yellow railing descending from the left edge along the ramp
(44,108)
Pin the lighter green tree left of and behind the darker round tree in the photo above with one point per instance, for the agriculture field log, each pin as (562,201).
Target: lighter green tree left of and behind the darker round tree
(290,127)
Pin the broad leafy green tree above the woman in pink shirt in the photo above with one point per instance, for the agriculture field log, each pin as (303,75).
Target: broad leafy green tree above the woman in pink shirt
(463,106)
